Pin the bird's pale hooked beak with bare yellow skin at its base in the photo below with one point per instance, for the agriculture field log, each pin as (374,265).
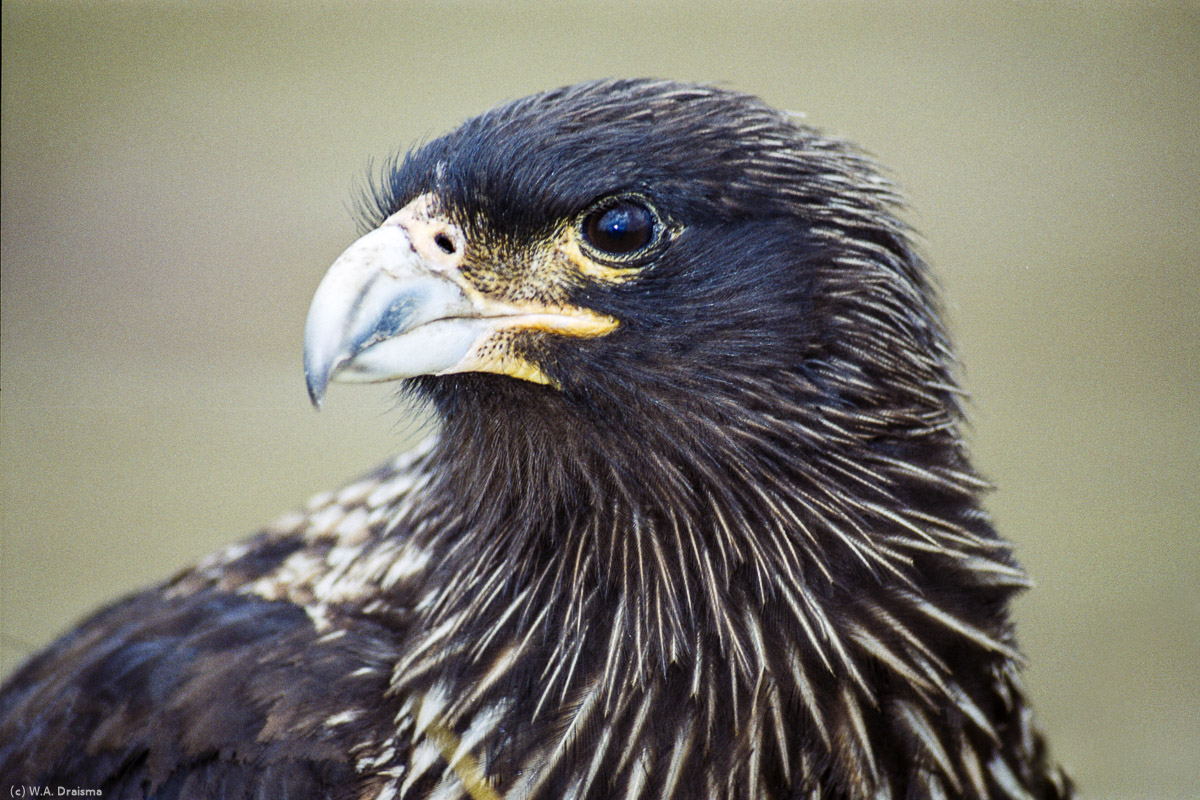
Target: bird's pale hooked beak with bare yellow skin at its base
(405,300)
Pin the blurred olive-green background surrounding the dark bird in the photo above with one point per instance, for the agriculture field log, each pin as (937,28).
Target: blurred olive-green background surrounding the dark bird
(178,177)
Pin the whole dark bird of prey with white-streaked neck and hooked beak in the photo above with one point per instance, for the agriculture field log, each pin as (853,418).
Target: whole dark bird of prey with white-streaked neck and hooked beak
(695,519)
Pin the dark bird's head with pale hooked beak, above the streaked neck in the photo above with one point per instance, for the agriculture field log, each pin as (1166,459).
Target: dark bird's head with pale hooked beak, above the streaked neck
(634,250)
